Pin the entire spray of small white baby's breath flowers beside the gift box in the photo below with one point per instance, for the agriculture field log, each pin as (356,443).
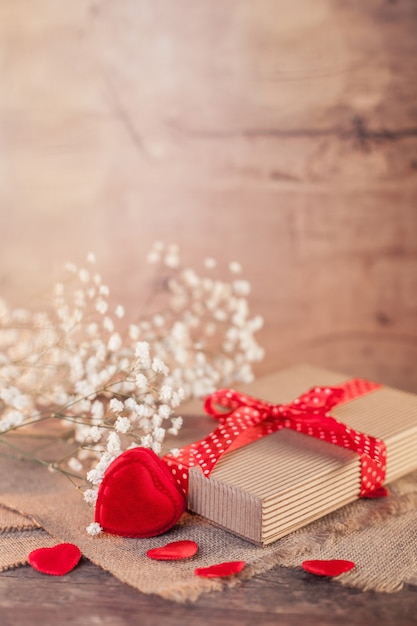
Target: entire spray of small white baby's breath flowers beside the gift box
(116,386)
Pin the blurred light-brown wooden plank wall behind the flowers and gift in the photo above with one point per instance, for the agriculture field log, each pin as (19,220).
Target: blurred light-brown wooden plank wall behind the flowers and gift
(282,134)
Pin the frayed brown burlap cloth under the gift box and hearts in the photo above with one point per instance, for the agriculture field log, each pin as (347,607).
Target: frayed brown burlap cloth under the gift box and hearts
(378,535)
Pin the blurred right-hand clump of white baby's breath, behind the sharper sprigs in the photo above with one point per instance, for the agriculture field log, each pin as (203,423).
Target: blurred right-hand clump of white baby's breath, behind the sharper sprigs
(205,333)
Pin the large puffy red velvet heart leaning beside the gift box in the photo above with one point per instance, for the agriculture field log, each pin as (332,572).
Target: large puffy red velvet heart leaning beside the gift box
(138,496)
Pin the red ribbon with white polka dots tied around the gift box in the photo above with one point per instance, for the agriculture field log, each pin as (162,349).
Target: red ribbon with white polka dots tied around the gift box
(243,419)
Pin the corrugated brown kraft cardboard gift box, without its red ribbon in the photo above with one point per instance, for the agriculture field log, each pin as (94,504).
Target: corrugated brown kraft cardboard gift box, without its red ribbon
(285,480)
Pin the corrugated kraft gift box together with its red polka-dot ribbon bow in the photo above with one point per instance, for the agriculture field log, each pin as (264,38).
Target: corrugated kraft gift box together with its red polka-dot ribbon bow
(287,460)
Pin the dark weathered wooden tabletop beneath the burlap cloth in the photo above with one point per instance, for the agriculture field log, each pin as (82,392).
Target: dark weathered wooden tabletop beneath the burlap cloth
(88,595)
